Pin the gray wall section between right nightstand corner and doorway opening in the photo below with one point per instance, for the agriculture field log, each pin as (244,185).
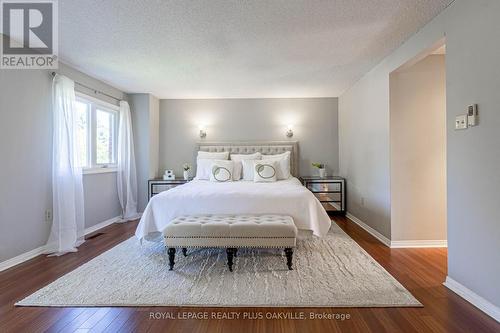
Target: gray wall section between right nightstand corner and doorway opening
(364,150)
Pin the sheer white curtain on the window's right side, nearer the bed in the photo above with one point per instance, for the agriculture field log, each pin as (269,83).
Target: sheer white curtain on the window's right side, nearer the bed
(127,178)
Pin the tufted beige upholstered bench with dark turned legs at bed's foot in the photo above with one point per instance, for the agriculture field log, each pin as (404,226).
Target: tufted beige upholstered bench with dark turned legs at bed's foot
(231,232)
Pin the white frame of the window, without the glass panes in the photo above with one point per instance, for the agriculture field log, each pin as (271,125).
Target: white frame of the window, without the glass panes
(94,105)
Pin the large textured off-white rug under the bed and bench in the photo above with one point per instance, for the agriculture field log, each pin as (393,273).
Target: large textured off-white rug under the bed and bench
(329,272)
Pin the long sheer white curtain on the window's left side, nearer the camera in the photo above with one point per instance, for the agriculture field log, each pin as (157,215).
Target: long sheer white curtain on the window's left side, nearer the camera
(67,188)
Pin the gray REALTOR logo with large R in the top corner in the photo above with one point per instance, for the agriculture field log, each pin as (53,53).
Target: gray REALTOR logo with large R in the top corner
(29,31)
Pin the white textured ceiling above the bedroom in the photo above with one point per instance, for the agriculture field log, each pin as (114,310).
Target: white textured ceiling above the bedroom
(235,49)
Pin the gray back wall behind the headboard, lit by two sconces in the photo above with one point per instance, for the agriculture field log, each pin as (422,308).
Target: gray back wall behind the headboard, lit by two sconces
(314,123)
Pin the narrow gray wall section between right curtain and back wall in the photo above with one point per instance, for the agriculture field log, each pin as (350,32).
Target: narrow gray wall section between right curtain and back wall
(144,111)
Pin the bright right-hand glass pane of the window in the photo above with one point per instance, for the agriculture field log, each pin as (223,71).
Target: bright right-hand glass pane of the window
(105,137)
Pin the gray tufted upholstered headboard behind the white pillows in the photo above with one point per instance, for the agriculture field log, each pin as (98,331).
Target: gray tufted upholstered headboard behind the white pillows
(264,147)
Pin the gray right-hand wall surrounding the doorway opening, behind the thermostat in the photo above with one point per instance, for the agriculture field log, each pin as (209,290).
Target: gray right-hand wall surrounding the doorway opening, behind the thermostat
(473,156)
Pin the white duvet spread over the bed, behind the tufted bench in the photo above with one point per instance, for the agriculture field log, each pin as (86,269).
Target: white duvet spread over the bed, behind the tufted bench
(286,197)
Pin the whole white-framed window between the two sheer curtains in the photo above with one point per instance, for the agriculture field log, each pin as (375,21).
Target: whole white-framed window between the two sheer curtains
(97,133)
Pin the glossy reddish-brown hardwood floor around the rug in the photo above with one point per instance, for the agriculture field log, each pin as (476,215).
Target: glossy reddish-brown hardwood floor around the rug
(421,271)
